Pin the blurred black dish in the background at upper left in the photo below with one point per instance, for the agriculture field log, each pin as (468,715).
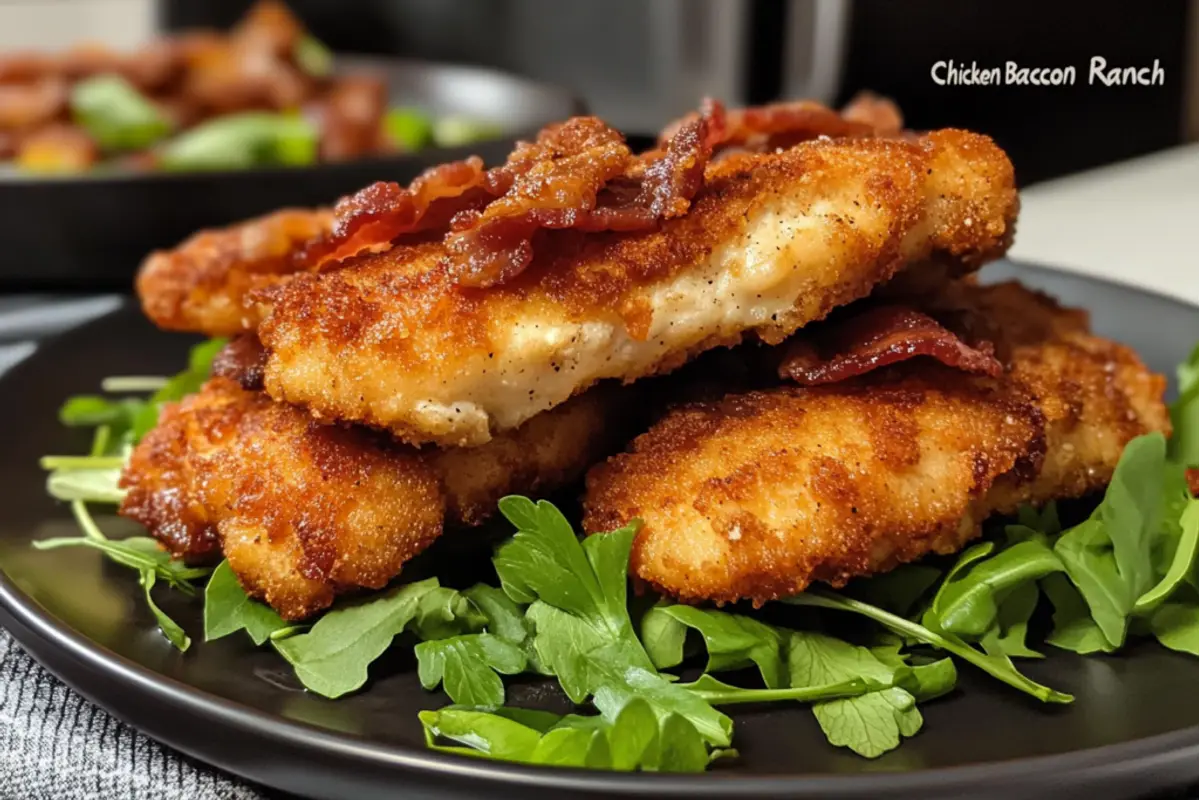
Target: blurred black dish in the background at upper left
(92,231)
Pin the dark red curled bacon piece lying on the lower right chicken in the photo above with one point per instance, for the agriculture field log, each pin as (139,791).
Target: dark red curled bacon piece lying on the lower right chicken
(878,338)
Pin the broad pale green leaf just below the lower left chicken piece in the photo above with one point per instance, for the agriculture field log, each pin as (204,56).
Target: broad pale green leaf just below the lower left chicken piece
(332,658)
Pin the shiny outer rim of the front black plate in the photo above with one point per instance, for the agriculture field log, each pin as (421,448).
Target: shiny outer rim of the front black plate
(1174,755)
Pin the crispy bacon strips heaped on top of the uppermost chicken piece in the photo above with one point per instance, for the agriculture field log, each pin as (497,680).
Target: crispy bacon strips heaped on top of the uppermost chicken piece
(578,175)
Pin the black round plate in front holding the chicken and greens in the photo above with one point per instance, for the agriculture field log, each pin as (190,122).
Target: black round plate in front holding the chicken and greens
(1135,727)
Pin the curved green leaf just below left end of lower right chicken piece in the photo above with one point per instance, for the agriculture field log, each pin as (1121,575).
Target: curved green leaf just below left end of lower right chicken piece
(733,641)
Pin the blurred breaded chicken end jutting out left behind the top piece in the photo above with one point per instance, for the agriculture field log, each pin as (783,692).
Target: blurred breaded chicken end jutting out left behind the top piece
(202,285)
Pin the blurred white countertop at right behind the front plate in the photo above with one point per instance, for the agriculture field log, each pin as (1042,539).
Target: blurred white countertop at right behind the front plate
(1136,222)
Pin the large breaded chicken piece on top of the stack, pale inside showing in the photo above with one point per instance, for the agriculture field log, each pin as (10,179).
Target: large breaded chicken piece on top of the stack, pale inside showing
(772,243)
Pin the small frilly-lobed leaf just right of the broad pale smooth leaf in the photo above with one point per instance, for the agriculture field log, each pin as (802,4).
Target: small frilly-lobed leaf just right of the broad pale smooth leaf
(467,666)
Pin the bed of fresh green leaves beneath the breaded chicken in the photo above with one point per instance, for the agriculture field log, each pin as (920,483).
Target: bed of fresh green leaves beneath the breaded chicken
(559,607)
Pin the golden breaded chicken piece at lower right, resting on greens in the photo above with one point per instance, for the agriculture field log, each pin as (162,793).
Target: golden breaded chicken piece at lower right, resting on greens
(758,496)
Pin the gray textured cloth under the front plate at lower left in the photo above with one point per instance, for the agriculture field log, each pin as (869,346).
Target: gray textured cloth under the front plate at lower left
(55,745)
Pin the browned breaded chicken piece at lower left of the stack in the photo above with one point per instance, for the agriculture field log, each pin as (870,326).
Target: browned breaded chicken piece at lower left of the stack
(305,512)
